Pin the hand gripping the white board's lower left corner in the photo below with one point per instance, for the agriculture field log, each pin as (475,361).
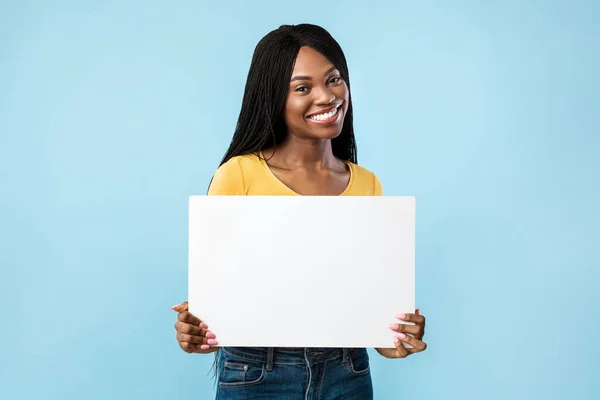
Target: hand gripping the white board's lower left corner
(193,335)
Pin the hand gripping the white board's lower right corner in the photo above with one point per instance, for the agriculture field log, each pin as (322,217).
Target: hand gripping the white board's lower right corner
(417,330)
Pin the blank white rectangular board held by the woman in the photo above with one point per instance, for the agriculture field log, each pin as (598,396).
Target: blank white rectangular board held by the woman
(301,271)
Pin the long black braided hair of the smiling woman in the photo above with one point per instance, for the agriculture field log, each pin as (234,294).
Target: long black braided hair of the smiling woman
(260,124)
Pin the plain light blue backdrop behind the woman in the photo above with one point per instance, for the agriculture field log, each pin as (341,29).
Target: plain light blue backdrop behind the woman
(113,112)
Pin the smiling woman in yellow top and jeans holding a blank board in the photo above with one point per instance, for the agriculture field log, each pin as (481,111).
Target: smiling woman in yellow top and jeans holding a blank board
(295,136)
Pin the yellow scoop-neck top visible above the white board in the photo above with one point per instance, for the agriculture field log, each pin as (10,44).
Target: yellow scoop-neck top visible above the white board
(249,175)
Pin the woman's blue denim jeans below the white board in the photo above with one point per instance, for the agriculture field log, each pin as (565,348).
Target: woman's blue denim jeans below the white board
(286,373)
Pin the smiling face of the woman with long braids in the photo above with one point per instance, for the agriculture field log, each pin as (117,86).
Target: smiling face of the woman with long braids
(317,99)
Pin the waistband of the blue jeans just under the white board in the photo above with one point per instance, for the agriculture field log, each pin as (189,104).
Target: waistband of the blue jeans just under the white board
(286,355)
